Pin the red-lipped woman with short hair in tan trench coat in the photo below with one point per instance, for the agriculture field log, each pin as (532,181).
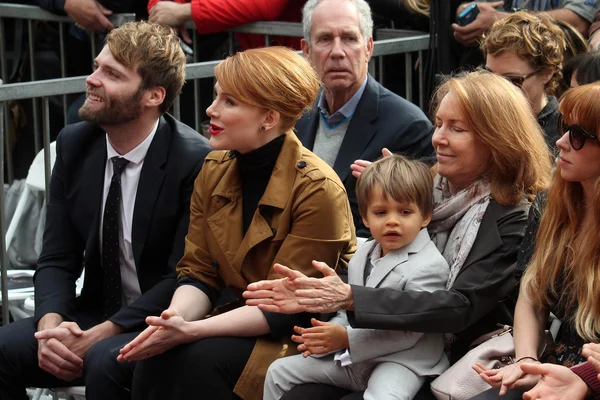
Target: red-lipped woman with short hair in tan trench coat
(262,199)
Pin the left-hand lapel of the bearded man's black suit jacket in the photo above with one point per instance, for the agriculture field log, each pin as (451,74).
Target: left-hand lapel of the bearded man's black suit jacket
(93,190)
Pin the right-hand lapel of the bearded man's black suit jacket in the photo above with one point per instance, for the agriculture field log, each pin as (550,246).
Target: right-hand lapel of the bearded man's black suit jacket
(151,179)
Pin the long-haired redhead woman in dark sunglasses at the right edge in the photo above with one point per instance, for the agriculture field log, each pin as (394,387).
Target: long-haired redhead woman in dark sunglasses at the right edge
(562,253)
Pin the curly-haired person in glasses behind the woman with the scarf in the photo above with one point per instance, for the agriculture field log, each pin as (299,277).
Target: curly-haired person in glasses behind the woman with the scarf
(528,50)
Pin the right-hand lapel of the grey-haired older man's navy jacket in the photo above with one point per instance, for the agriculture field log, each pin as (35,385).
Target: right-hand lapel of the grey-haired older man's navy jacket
(360,130)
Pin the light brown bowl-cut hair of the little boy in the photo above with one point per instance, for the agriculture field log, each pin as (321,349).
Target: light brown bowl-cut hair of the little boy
(404,180)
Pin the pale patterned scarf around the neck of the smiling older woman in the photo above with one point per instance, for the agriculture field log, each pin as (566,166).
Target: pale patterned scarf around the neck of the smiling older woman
(456,220)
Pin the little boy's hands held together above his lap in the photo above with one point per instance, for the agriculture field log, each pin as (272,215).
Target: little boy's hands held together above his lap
(323,337)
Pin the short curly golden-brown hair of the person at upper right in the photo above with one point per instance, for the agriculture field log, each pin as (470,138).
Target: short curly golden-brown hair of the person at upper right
(535,38)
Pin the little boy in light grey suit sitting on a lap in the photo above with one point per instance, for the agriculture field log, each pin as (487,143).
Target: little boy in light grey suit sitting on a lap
(395,198)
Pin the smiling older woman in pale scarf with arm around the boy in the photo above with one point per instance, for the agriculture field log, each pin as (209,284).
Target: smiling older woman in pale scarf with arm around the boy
(492,161)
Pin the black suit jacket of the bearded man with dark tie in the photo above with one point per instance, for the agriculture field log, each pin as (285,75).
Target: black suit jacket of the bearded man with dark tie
(160,222)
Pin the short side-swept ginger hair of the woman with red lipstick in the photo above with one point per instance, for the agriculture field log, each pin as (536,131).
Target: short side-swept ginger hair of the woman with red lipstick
(275,78)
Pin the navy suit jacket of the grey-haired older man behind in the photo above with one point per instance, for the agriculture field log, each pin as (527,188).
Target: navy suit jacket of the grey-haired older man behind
(382,119)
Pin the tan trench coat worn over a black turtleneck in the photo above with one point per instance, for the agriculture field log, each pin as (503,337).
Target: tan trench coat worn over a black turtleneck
(302,216)
